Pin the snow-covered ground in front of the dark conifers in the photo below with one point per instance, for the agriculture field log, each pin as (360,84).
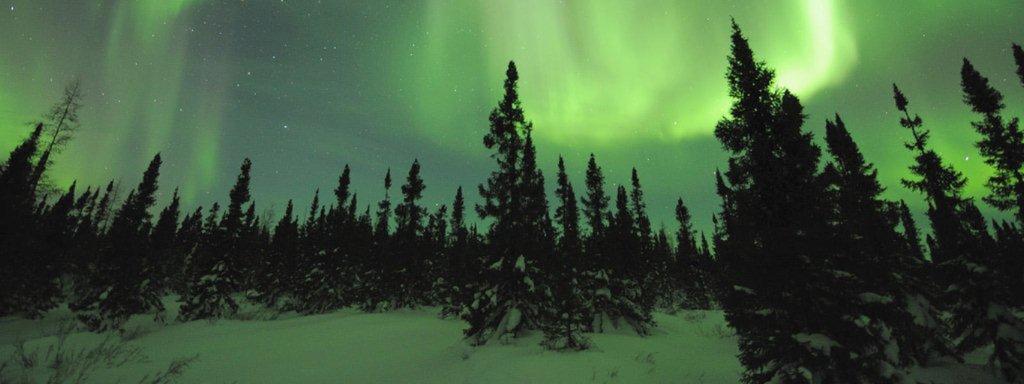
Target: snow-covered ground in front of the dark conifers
(408,347)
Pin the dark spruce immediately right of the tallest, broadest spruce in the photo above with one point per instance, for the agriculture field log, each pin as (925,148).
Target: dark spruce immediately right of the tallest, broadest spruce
(888,274)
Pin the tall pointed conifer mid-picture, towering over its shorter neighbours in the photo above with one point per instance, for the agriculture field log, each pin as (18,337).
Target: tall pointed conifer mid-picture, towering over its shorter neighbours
(507,301)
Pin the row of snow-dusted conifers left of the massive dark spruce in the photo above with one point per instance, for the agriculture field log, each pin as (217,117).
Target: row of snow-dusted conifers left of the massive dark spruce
(111,259)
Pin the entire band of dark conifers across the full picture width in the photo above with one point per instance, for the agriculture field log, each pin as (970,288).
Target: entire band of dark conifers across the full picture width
(823,279)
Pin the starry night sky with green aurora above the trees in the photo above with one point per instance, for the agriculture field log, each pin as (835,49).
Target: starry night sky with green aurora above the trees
(306,88)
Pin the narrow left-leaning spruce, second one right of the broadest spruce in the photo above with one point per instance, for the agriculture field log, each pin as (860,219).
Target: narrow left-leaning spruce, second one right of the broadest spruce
(962,249)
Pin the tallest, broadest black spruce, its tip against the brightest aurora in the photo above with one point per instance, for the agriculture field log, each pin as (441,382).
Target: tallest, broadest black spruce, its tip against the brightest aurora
(777,250)
